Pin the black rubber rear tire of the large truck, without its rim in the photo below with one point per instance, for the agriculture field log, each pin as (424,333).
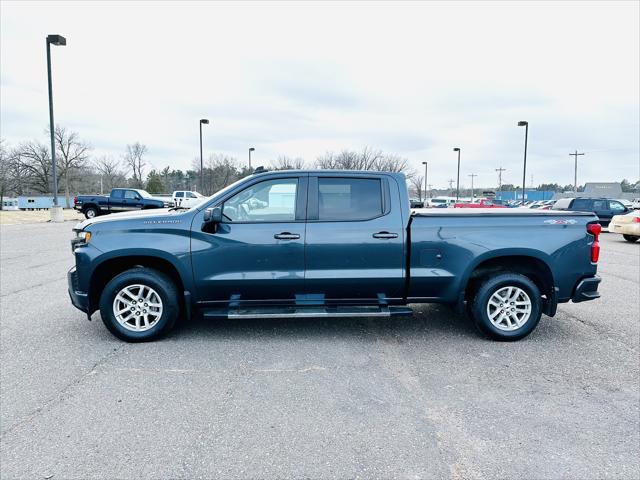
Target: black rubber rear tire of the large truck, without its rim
(478,306)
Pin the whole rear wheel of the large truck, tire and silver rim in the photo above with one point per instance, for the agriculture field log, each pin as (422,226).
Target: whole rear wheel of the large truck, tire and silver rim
(506,307)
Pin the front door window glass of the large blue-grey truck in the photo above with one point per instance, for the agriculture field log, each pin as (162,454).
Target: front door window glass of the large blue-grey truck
(268,201)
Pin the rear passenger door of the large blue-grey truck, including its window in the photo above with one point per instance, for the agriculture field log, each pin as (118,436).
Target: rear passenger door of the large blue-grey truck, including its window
(355,238)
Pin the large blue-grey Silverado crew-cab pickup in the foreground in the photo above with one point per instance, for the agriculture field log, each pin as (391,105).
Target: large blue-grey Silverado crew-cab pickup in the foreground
(323,243)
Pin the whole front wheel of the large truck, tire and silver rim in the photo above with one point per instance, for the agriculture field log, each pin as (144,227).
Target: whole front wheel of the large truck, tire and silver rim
(140,304)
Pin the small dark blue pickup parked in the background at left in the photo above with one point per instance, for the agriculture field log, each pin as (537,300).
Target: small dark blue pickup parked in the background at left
(119,200)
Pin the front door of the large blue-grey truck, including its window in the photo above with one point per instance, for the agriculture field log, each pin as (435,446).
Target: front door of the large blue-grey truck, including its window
(256,254)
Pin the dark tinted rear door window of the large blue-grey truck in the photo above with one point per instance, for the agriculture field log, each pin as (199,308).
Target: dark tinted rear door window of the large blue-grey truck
(349,198)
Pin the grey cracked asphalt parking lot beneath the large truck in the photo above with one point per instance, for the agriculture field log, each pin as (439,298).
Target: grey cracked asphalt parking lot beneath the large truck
(421,397)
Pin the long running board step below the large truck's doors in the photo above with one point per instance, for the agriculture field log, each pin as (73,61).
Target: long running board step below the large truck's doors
(307,312)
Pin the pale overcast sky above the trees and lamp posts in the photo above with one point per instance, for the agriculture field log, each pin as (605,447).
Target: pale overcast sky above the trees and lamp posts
(301,79)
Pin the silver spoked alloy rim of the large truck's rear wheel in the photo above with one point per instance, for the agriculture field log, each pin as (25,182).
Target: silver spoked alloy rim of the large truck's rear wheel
(509,308)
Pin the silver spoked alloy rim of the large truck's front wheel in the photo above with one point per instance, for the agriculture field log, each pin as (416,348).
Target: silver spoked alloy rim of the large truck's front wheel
(137,307)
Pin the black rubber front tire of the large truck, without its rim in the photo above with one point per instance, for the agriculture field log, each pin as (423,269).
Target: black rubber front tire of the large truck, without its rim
(158,281)
